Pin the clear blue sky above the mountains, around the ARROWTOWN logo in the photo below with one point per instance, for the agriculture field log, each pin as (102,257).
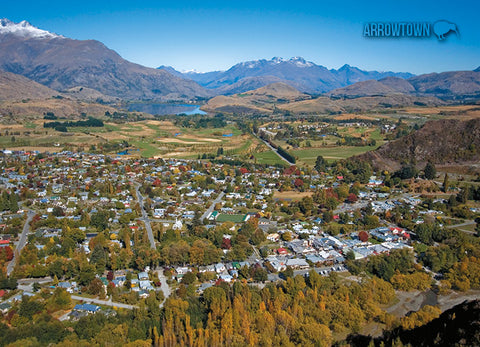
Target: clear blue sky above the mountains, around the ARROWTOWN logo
(215,35)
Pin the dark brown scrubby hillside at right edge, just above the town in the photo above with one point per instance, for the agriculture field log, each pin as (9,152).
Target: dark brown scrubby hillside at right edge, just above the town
(443,142)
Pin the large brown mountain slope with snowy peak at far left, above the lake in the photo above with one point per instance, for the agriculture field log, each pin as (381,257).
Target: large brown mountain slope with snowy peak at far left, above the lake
(62,63)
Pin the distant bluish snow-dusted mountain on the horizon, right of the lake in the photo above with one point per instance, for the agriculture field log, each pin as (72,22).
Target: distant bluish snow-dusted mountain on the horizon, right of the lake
(304,75)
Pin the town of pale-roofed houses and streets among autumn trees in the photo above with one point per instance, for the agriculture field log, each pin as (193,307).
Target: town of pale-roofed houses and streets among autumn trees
(102,233)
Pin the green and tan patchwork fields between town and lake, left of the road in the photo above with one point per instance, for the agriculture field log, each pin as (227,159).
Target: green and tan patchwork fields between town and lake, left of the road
(149,138)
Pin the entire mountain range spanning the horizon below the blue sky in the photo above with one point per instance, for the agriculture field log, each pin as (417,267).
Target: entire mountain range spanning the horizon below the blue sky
(88,69)
